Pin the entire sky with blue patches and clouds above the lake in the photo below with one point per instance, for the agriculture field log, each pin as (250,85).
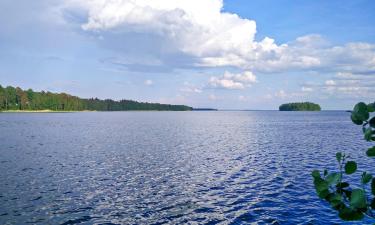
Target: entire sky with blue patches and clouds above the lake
(235,54)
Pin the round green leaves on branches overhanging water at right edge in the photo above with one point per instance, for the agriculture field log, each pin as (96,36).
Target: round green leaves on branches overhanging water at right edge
(352,203)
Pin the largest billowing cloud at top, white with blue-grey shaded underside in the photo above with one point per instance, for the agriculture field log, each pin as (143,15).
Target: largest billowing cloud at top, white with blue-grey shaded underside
(196,29)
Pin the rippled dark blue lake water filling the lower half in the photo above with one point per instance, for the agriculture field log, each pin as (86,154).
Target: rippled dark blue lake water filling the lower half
(170,167)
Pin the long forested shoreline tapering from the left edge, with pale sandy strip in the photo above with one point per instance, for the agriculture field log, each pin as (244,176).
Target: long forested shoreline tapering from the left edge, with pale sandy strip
(16,99)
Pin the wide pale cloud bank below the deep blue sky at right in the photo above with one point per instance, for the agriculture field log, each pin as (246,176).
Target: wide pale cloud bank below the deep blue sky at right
(314,53)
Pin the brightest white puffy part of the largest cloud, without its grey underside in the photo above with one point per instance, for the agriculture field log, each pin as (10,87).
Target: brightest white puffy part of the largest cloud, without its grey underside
(196,27)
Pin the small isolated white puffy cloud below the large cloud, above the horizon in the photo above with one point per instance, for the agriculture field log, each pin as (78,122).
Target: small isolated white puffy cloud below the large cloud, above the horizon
(233,81)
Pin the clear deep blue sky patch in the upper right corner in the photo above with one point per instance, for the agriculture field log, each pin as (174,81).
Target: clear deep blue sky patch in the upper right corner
(285,20)
